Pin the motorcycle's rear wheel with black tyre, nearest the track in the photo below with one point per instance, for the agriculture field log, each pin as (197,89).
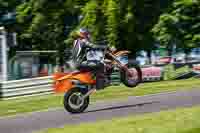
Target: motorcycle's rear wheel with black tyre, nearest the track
(73,102)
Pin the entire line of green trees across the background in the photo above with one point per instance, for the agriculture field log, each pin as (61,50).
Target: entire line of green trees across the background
(127,24)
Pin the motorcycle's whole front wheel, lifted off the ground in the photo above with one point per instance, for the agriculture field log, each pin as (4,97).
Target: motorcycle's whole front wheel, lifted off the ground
(132,76)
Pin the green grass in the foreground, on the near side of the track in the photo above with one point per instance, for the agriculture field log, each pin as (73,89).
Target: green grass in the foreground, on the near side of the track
(175,121)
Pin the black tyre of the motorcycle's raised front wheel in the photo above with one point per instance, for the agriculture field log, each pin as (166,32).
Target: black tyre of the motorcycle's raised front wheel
(125,77)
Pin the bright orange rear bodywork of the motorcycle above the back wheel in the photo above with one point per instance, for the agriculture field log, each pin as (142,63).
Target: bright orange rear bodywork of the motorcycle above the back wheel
(63,80)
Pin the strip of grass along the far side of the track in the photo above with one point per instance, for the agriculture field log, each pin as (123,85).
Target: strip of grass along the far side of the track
(15,106)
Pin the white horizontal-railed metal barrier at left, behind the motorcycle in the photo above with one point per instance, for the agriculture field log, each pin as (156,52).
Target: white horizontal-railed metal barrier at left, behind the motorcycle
(24,87)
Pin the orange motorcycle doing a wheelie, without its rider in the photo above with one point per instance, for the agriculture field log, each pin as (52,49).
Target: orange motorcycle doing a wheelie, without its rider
(79,85)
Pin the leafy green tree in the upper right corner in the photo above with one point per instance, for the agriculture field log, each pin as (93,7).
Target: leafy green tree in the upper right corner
(180,25)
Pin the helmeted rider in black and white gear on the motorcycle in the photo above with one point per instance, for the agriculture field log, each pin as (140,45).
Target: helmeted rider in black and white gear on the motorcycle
(79,53)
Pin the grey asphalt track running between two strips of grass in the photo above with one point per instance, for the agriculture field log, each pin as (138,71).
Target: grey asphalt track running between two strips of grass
(36,121)
